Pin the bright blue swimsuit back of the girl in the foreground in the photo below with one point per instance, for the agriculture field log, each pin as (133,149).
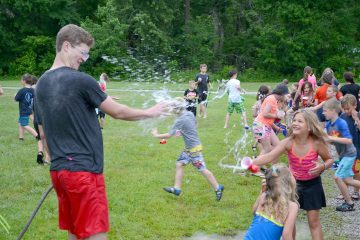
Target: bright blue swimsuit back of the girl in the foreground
(264,228)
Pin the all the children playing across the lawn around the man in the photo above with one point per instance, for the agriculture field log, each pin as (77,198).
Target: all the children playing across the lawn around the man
(306,143)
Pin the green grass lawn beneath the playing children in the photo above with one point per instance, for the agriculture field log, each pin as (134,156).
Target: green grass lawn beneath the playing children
(137,167)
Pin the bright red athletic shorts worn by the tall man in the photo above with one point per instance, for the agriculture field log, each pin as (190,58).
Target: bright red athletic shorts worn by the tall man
(83,207)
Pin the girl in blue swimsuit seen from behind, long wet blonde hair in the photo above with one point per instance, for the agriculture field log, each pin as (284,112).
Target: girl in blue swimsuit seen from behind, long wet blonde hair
(276,208)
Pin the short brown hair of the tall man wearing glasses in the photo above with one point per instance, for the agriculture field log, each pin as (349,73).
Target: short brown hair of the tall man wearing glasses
(75,35)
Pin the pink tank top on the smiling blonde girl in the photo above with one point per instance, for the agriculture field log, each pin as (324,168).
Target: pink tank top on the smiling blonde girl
(300,166)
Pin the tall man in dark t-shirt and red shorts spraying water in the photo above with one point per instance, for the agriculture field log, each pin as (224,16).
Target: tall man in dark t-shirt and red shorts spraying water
(65,105)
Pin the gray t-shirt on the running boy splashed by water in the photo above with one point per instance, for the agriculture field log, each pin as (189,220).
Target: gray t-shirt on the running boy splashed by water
(186,124)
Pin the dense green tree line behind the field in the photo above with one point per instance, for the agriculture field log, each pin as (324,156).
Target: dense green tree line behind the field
(135,39)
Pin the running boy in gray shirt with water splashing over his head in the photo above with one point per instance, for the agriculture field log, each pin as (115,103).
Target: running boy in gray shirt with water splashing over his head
(186,124)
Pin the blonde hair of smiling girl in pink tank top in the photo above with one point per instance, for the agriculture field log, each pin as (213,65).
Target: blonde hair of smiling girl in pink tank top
(311,120)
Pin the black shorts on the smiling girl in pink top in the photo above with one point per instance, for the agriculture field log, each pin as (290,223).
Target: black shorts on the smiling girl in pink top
(311,194)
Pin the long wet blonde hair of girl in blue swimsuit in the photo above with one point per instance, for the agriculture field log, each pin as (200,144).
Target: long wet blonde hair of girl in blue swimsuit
(281,189)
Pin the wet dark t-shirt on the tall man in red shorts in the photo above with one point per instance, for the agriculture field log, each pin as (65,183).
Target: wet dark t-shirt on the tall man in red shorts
(65,104)
